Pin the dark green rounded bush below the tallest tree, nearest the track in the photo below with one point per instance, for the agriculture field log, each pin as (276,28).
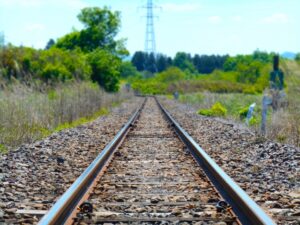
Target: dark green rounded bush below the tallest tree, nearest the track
(105,69)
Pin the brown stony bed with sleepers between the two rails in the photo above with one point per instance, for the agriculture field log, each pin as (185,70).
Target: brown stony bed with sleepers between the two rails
(153,179)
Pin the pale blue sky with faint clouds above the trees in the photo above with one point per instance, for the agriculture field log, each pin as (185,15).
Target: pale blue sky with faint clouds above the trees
(194,26)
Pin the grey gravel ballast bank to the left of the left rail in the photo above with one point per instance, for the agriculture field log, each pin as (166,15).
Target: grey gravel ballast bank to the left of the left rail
(34,176)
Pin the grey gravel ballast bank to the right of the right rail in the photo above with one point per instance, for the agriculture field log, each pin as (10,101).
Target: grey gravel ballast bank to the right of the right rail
(269,172)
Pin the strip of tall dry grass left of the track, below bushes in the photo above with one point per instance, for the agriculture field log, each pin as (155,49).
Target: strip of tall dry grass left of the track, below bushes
(27,114)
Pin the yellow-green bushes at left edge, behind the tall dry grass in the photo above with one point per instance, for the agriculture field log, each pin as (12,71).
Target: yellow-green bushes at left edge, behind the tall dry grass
(27,63)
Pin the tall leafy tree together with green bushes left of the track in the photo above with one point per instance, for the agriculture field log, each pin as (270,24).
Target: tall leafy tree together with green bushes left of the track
(91,53)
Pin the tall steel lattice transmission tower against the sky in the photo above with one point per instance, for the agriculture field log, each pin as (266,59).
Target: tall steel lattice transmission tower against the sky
(150,44)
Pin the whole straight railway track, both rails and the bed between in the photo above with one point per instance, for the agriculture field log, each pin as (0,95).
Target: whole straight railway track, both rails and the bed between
(154,173)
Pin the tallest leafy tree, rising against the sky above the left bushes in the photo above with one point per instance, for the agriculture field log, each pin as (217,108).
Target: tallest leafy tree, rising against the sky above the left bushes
(100,29)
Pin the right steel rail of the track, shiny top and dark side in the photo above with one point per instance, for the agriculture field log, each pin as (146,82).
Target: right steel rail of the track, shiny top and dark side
(243,206)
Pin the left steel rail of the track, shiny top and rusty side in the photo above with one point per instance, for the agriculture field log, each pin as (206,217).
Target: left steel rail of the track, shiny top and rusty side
(63,208)
